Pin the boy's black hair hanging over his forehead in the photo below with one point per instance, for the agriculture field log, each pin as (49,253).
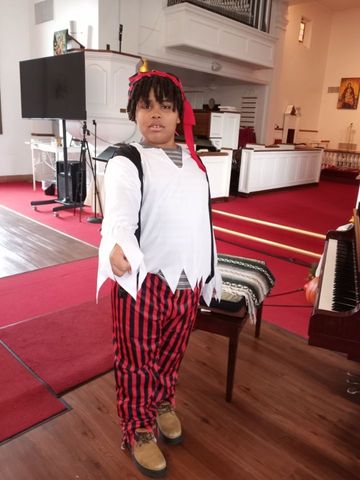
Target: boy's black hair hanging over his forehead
(164,90)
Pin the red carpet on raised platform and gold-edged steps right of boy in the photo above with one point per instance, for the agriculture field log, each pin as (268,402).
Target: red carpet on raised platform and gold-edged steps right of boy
(315,208)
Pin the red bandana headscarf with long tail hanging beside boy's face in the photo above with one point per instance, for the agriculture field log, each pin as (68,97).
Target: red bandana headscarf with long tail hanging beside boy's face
(188,114)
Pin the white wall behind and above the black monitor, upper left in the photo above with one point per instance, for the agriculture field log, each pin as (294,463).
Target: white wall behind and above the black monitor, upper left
(21,39)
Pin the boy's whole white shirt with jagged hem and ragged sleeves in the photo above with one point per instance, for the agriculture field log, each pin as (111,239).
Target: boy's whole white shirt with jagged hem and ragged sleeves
(175,225)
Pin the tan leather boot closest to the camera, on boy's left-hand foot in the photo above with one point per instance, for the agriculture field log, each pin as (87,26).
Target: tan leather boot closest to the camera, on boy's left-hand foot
(147,455)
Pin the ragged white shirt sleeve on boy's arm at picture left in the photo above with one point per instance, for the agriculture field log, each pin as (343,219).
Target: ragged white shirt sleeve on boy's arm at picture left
(121,215)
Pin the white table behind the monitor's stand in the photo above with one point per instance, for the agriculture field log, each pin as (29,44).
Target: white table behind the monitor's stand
(44,156)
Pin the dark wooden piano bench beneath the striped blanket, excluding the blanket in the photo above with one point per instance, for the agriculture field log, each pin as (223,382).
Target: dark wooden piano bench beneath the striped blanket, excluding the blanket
(227,324)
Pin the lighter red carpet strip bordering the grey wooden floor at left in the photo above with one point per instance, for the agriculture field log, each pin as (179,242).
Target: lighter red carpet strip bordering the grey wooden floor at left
(47,290)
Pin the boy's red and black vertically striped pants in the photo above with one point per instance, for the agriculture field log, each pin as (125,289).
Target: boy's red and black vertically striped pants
(150,336)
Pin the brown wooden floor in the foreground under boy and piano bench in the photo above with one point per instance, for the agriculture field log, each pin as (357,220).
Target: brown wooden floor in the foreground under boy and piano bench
(290,419)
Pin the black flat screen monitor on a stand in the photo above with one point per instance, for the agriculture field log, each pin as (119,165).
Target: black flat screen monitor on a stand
(54,87)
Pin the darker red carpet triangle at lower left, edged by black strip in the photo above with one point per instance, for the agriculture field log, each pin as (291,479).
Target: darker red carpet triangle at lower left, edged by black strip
(24,401)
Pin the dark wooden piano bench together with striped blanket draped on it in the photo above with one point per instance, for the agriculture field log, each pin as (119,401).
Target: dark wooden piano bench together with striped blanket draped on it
(245,284)
